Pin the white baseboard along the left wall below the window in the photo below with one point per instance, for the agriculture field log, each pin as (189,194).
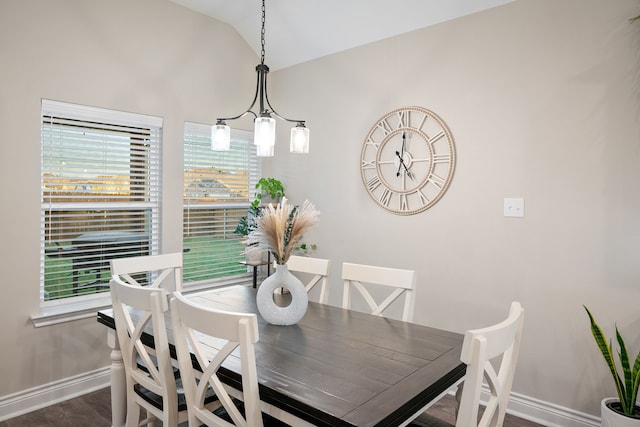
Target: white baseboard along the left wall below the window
(39,397)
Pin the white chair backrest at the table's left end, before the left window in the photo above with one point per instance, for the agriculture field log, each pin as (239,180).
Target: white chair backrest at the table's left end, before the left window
(156,269)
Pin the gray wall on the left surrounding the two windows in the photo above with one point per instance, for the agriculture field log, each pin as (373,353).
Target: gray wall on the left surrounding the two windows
(145,56)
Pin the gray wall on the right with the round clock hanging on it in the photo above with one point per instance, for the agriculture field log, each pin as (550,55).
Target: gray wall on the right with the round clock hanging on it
(542,98)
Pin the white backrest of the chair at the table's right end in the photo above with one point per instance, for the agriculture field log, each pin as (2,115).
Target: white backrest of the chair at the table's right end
(480,347)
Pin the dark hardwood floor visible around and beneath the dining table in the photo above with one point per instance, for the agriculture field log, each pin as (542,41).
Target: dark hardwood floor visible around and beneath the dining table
(94,410)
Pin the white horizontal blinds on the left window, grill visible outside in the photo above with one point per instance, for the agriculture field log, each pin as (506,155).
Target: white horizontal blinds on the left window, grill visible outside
(100,195)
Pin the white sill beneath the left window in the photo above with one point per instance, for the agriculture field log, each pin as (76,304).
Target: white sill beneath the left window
(69,311)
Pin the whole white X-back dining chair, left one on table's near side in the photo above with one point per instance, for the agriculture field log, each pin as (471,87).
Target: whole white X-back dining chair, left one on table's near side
(150,377)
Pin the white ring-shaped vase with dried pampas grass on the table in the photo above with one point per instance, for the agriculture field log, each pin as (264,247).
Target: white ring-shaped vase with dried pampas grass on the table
(279,230)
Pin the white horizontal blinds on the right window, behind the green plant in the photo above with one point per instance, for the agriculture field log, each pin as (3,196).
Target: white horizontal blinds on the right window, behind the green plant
(217,188)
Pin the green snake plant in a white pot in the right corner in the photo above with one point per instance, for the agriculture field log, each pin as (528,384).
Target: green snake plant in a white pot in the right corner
(624,411)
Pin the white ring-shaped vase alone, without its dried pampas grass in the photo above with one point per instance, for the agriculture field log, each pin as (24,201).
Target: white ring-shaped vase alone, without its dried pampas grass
(272,312)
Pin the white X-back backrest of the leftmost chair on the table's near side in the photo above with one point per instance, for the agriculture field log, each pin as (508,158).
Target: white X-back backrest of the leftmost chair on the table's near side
(136,309)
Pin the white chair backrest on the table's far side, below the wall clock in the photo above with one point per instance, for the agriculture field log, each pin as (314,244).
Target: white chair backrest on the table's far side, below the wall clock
(403,282)
